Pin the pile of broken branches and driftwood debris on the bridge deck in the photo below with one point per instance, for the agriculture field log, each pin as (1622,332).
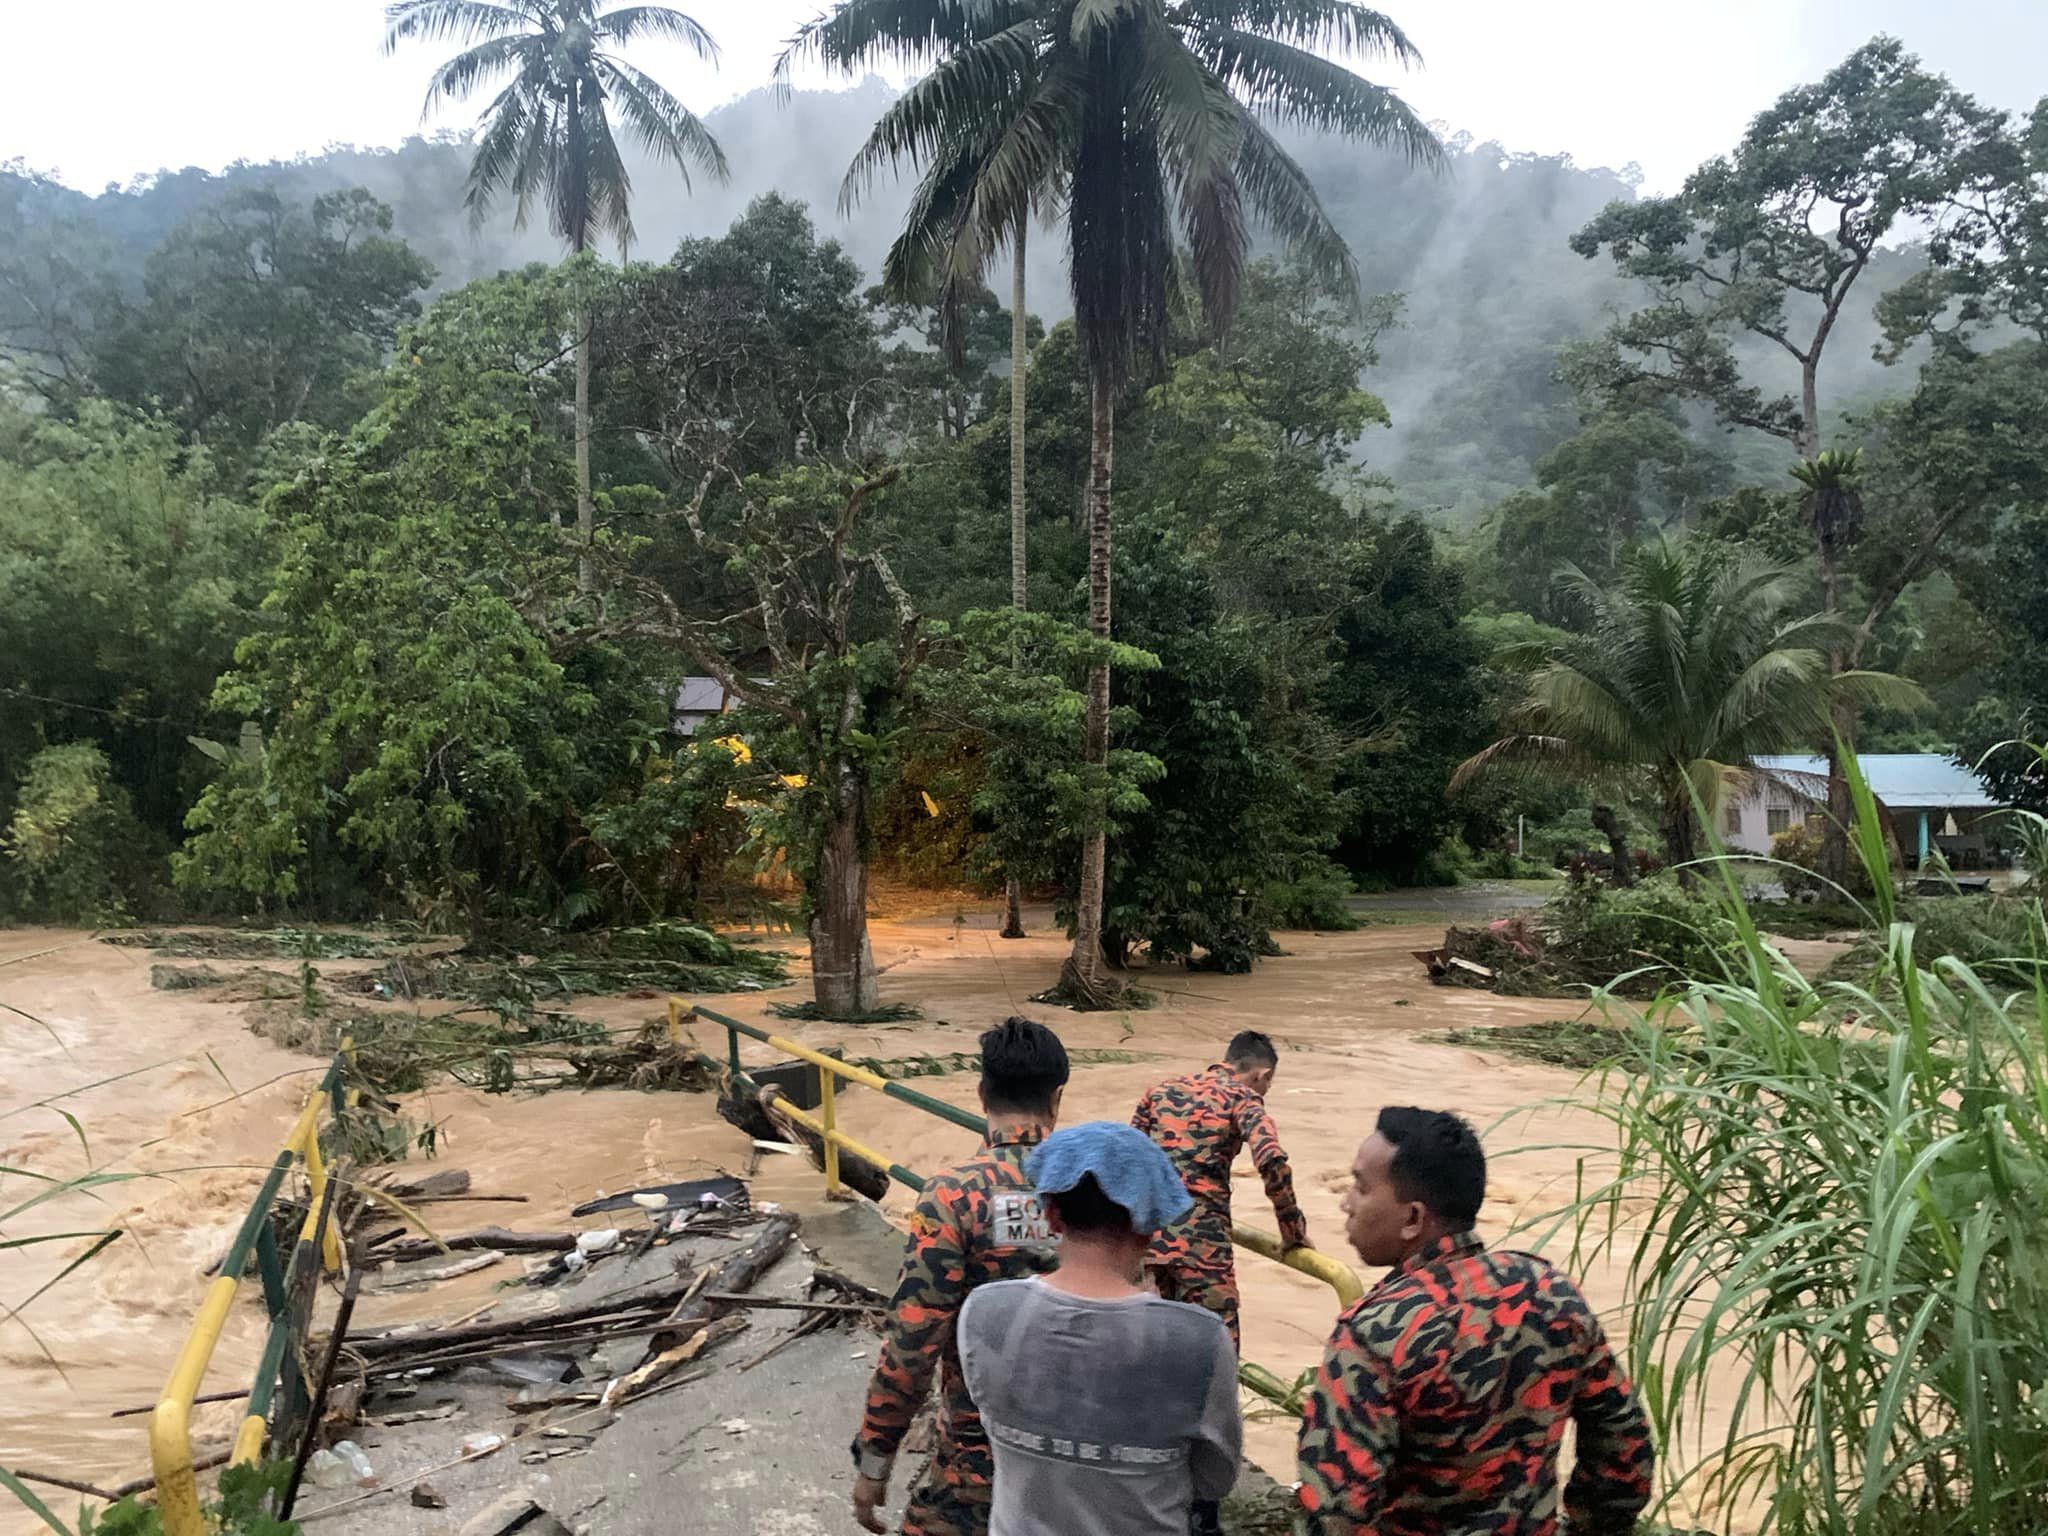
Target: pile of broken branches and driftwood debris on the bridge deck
(605,1320)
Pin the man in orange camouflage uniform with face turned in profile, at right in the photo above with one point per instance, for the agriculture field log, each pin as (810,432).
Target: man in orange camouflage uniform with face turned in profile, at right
(1447,1388)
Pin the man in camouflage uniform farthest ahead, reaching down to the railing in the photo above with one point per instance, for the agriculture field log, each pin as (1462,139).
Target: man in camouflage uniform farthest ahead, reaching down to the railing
(1203,1121)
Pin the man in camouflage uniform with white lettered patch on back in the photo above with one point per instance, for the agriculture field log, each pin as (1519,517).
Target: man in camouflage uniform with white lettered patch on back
(974,1224)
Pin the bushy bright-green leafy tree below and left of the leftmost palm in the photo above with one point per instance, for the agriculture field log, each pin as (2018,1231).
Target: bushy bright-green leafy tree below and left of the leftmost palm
(421,740)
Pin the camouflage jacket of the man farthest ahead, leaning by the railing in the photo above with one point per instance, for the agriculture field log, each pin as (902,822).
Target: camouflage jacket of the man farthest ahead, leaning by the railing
(1203,1121)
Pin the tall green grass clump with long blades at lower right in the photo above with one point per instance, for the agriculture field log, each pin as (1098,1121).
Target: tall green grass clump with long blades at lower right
(1828,1205)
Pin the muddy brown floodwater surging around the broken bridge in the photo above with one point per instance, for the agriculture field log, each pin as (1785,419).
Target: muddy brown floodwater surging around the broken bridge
(173,1089)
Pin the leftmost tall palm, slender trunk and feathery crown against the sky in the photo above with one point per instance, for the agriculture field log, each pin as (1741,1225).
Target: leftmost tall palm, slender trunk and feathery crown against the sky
(548,134)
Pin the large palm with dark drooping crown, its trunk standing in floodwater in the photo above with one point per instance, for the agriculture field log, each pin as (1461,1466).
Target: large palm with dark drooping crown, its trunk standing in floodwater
(1144,120)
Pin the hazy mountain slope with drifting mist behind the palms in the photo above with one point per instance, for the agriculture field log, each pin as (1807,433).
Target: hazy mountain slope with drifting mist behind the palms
(1480,255)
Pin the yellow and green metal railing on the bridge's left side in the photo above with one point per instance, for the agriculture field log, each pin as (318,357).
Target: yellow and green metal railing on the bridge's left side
(171,1422)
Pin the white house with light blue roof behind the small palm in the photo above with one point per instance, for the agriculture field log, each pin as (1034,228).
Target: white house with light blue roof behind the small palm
(1934,804)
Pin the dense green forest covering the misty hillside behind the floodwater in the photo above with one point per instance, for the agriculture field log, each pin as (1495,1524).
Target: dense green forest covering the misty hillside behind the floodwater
(302,617)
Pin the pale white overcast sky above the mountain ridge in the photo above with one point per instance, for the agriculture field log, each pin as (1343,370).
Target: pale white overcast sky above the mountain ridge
(130,87)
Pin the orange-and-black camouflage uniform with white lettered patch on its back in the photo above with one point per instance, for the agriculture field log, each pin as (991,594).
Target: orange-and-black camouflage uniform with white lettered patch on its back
(974,1224)
